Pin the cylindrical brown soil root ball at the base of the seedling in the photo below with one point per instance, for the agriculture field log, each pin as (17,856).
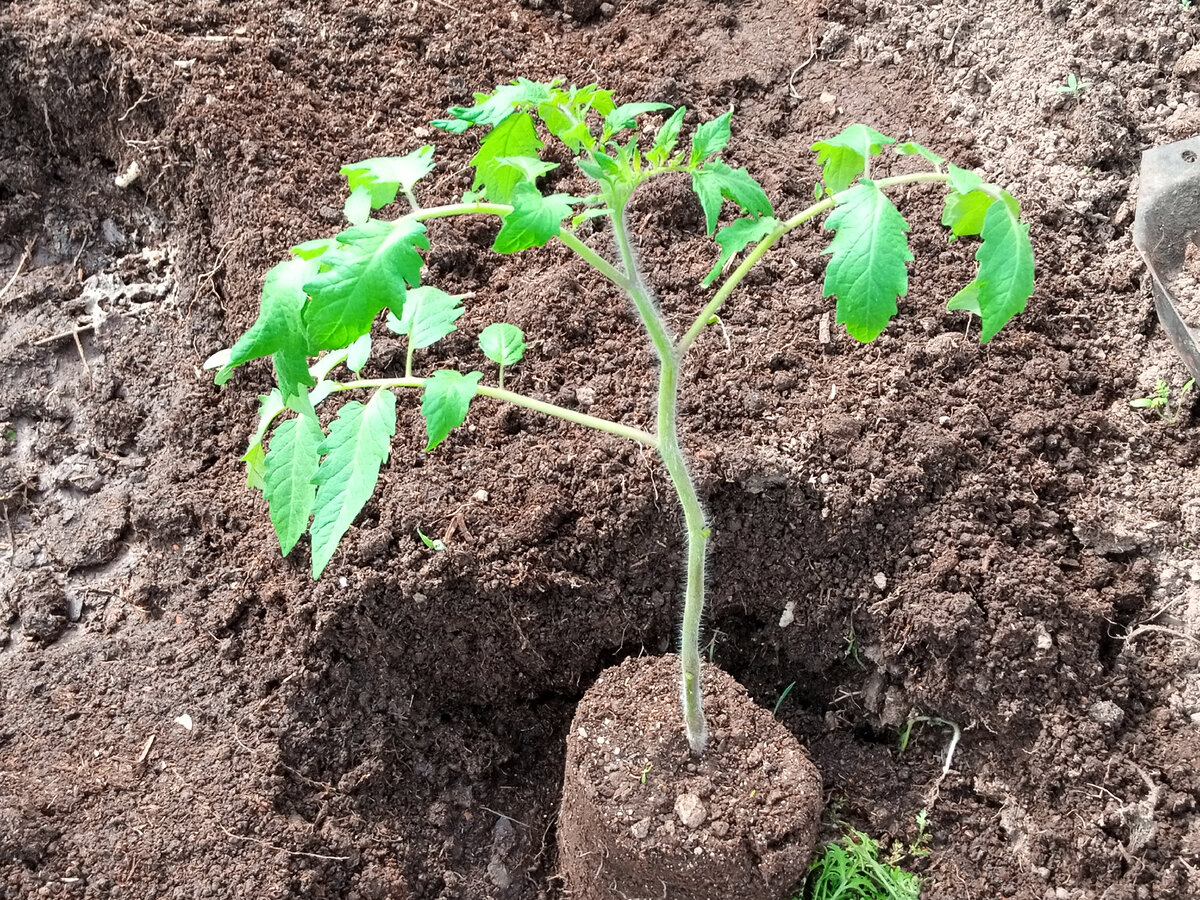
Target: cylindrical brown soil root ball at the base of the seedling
(641,818)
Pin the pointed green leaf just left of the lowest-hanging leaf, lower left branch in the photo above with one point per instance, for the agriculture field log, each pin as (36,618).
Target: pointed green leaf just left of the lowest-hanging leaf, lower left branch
(287,478)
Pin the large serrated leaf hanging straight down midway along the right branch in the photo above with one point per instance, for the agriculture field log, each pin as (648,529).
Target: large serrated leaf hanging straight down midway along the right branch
(867,271)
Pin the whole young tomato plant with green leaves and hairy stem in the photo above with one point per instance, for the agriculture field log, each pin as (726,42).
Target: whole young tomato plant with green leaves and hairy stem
(325,301)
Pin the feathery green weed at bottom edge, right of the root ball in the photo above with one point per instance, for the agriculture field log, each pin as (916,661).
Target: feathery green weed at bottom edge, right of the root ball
(854,869)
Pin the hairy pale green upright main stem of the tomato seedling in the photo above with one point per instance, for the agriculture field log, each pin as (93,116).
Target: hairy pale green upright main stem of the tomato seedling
(671,453)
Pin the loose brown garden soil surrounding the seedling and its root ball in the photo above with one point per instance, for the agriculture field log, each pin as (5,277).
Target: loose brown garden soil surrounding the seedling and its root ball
(987,536)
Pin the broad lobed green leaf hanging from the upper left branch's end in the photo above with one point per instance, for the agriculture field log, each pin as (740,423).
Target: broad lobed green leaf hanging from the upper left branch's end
(367,272)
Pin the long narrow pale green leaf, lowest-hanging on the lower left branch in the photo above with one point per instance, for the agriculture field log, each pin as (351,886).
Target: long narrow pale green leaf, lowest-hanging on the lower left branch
(358,443)
